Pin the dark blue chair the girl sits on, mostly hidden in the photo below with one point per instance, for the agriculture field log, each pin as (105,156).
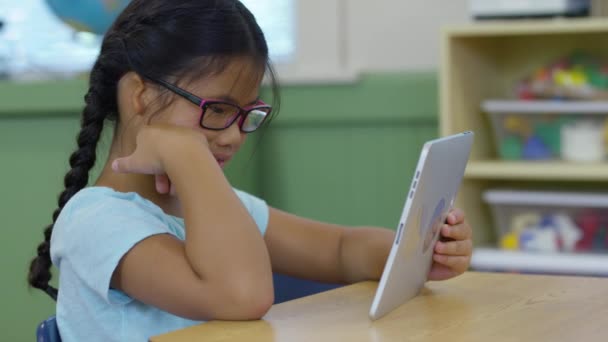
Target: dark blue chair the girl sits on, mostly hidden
(285,288)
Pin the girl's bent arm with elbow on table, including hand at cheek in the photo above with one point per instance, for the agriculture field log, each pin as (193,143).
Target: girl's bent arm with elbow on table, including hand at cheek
(222,270)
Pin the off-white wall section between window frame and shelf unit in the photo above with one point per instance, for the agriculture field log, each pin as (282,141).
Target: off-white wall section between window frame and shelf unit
(398,34)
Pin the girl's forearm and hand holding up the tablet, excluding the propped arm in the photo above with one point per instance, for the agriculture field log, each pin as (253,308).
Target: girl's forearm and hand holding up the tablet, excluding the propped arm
(337,254)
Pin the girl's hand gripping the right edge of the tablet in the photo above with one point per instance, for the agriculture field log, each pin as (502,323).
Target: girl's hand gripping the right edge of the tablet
(452,254)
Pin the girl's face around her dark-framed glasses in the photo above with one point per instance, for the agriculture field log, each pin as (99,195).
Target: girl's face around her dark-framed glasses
(238,84)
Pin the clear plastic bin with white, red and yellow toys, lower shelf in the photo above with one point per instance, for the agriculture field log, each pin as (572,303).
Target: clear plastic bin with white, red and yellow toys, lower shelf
(550,221)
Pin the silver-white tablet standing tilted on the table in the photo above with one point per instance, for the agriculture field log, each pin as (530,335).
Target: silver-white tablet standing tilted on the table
(431,195)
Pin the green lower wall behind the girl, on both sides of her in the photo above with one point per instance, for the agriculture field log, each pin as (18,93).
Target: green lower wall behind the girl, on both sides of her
(341,153)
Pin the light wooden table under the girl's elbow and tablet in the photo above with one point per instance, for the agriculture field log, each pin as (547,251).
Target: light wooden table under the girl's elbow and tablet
(472,307)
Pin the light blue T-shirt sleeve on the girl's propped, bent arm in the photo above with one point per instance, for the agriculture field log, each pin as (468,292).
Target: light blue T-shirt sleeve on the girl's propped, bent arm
(94,238)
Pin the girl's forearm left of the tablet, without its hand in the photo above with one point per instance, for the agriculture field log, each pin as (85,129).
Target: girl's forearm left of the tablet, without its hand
(325,252)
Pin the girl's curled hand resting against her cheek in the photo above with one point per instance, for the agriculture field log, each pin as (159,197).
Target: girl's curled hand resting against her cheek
(153,144)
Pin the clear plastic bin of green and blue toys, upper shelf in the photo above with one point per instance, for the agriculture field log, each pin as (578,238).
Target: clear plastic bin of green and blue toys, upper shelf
(549,130)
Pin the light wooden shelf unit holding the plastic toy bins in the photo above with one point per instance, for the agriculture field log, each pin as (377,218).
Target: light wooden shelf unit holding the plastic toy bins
(483,61)
